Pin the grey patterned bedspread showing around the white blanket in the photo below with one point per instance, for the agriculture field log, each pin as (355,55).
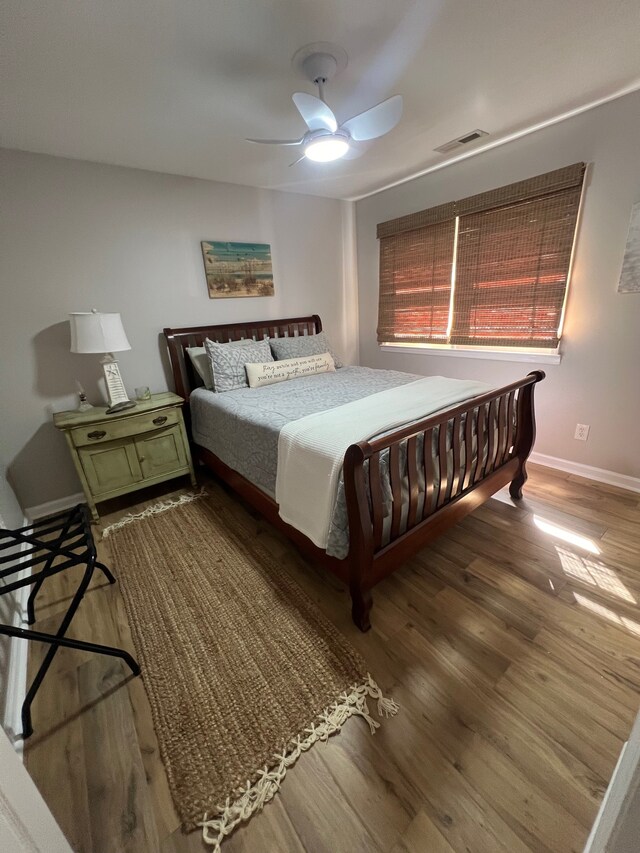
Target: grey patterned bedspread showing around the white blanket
(242,427)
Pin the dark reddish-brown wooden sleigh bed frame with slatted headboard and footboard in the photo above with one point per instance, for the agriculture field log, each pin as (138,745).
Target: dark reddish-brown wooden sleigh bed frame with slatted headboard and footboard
(484,460)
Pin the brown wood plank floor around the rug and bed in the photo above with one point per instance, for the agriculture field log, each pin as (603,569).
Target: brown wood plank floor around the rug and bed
(512,645)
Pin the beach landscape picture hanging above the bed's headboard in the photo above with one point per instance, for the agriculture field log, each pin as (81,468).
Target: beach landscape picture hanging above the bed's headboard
(237,269)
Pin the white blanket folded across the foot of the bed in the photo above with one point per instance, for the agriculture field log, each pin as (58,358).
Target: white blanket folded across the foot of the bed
(311,449)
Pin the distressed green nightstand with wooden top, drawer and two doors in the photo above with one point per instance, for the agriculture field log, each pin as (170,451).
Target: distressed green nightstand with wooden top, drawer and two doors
(116,454)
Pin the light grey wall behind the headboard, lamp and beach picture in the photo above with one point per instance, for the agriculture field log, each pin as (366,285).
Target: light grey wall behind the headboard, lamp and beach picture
(76,235)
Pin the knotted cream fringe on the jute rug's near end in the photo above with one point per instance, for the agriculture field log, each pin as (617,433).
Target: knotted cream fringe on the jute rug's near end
(253,797)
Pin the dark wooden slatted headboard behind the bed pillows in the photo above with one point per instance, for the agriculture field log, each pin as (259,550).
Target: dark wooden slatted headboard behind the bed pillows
(184,376)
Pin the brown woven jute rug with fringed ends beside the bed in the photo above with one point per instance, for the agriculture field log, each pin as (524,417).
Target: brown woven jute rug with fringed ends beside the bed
(242,670)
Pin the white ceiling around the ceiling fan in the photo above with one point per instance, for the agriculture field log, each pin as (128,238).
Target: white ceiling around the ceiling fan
(176,85)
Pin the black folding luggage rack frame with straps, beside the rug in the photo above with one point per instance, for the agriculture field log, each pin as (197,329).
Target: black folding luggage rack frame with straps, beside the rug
(71,537)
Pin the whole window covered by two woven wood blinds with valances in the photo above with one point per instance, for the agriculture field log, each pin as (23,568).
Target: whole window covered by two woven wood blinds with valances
(490,270)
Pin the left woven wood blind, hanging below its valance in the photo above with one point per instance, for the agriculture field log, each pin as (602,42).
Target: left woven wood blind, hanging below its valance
(415,284)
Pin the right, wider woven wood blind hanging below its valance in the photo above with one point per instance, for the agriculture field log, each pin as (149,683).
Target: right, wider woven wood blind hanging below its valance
(512,268)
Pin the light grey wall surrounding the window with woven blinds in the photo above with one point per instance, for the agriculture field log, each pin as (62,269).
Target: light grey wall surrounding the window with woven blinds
(598,381)
